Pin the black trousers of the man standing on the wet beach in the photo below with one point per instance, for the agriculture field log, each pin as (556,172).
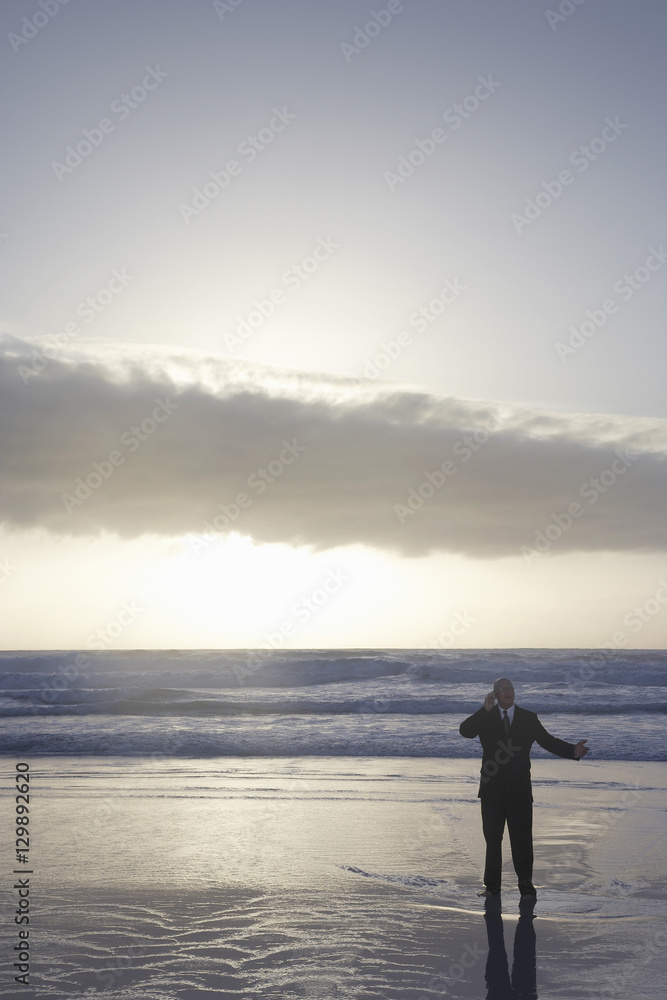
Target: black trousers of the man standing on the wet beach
(519,817)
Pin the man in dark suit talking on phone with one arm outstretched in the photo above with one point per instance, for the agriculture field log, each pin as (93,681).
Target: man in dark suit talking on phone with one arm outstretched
(507,733)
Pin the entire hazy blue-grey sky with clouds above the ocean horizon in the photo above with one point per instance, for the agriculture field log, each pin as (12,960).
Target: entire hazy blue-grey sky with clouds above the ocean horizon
(332,324)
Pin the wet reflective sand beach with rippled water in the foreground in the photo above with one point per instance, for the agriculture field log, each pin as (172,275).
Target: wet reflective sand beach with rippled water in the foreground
(284,877)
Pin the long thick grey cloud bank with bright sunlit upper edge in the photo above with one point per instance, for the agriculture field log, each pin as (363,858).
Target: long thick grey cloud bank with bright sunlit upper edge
(140,441)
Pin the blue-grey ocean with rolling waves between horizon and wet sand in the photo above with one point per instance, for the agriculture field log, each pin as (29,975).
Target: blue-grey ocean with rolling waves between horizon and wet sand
(354,702)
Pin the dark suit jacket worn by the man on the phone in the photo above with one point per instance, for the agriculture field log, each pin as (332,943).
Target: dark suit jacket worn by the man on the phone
(505,771)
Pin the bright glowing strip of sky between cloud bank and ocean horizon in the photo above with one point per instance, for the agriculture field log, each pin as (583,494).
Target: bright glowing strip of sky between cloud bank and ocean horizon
(156,593)
